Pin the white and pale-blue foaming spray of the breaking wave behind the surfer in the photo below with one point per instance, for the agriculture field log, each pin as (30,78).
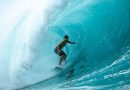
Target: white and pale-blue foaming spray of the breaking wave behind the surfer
(24,57)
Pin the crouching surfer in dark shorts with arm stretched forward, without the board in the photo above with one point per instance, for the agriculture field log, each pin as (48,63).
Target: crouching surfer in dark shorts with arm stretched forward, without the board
(58,50)
